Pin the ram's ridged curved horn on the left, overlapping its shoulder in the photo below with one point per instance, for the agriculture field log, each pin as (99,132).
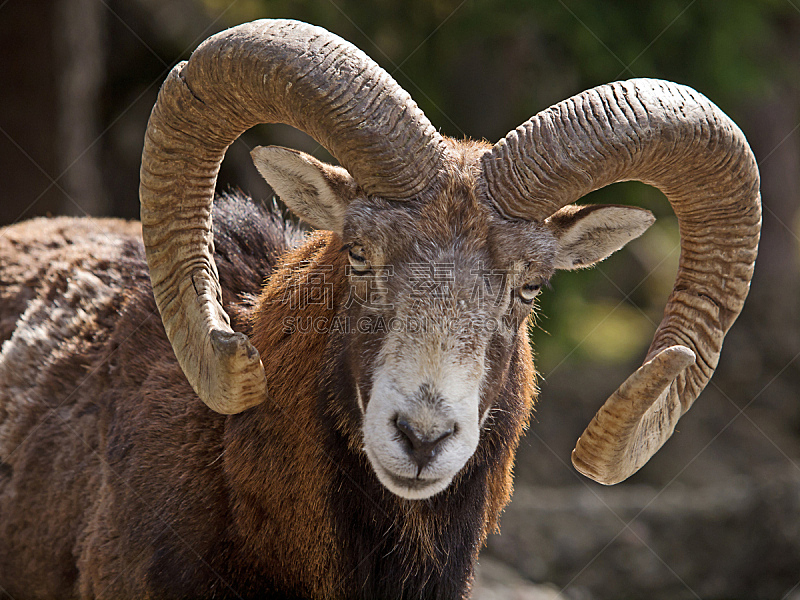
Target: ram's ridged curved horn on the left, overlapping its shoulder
(262,72)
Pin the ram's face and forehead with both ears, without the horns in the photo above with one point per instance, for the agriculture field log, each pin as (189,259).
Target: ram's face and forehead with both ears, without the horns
(440,291)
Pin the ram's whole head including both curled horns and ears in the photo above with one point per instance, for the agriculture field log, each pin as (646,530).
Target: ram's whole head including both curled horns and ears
(448,242)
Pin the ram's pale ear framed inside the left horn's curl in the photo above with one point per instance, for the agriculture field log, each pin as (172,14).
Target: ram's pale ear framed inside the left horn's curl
(314,191)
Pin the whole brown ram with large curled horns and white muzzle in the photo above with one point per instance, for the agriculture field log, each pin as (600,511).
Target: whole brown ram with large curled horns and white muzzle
(364,387)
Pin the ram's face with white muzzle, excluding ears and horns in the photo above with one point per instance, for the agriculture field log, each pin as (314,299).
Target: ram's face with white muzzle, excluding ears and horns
(440,291)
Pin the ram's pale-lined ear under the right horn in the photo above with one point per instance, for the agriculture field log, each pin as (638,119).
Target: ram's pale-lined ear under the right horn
(589,234)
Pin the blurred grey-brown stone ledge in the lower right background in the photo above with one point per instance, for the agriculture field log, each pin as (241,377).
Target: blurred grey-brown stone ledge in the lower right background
(734,539)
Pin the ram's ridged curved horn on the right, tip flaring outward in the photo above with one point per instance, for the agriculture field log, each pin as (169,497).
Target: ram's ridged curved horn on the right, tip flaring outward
(675,139)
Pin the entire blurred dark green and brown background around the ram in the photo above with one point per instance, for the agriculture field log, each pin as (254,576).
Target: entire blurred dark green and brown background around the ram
(716,514)
